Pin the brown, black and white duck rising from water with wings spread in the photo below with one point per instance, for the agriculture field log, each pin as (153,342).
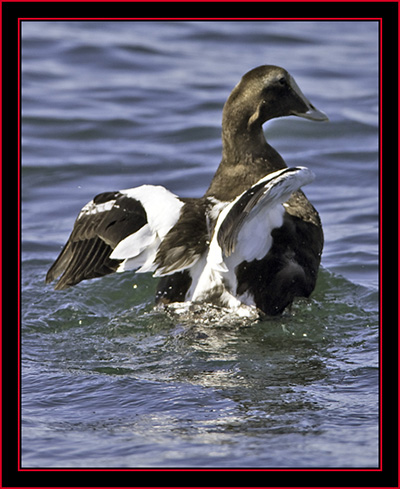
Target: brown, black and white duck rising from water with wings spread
(253,240)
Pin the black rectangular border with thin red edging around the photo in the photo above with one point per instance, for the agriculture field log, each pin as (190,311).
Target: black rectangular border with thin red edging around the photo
(388,476)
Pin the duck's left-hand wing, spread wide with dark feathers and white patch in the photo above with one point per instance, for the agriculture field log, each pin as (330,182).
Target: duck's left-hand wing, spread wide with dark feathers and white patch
(116,231)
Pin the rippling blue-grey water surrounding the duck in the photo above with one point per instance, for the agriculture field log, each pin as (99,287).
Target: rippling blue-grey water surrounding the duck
(107,381)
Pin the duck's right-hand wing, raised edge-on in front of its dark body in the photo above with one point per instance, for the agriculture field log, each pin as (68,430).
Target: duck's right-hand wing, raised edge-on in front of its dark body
(264,196)
